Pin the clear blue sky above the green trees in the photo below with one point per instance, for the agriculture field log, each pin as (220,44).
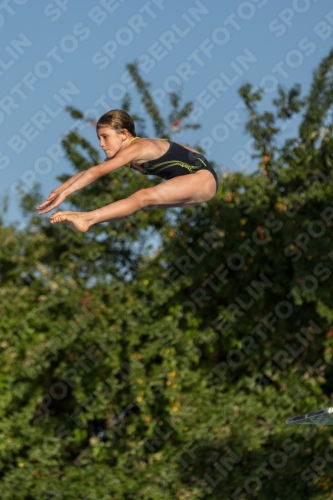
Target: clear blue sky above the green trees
(63,52)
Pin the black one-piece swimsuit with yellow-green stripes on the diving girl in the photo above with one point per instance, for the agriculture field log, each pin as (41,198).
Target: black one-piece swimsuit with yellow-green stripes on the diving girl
(175,162)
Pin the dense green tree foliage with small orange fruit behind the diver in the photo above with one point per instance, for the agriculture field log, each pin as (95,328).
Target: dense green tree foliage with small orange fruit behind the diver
(171,375)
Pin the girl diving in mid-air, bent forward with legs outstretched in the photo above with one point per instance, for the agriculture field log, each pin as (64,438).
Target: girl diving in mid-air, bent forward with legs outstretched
(166,159)
